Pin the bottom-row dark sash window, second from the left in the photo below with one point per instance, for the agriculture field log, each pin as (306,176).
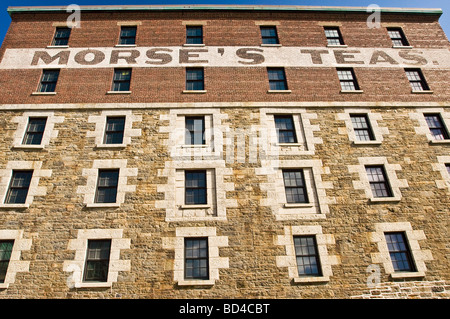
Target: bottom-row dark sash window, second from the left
(97,260)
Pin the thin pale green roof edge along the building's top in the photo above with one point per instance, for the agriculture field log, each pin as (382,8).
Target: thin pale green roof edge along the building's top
(93,8)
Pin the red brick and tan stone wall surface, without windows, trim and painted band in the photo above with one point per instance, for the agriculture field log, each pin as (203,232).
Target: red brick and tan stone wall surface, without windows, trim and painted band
(53,220)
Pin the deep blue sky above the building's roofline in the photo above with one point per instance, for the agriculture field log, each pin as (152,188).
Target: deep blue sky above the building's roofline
(443,4)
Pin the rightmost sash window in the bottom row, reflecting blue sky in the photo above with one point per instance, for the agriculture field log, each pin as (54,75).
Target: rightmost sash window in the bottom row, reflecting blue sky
(399,252)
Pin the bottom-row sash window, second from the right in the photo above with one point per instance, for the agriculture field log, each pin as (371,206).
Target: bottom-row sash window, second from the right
(307,257)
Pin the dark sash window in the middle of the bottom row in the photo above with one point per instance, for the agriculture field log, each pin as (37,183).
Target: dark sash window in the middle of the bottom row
(196,258)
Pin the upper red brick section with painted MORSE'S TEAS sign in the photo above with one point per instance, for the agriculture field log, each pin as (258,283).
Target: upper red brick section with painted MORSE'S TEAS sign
(235,64)
